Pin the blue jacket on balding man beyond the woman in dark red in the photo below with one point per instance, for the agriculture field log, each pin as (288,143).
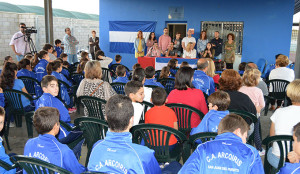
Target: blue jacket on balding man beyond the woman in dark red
(203,82)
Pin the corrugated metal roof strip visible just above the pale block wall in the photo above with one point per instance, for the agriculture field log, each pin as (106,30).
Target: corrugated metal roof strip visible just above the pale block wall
(40,11)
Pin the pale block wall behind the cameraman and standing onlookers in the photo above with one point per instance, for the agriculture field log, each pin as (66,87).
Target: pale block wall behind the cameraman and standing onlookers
(9,23)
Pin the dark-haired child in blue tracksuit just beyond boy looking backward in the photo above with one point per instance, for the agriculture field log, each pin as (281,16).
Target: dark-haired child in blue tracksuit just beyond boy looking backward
(54,68)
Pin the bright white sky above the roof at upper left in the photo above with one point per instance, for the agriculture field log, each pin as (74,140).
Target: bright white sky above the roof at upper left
(86,6)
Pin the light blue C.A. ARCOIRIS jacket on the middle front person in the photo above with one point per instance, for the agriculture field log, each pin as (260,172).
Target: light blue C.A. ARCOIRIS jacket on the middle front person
(117,154)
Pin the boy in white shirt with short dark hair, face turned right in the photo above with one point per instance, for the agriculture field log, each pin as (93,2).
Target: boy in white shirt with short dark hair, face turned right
(135,91)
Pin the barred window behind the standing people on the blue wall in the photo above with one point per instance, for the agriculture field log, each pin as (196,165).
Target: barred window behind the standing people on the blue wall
(225,28)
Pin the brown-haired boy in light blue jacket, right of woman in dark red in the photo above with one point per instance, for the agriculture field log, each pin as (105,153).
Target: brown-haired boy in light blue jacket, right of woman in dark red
(218,104)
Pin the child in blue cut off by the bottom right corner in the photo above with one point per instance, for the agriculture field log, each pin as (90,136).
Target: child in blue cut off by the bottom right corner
(293,166)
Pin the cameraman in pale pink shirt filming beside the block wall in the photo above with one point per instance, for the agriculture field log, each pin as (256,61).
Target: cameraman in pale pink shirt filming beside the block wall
(18,43)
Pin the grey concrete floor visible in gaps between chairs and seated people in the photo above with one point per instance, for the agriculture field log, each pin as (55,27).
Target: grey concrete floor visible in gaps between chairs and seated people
(18,136)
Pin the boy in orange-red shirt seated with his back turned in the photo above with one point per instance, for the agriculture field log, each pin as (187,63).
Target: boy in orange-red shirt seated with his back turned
(160,113)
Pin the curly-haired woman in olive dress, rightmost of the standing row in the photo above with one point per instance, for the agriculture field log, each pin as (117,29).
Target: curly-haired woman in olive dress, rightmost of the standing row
(230,51)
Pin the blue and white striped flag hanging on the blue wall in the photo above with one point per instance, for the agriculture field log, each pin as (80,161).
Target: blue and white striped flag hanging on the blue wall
(122,34)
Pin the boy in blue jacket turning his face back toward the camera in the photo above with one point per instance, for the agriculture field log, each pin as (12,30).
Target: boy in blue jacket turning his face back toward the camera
(50,87)
